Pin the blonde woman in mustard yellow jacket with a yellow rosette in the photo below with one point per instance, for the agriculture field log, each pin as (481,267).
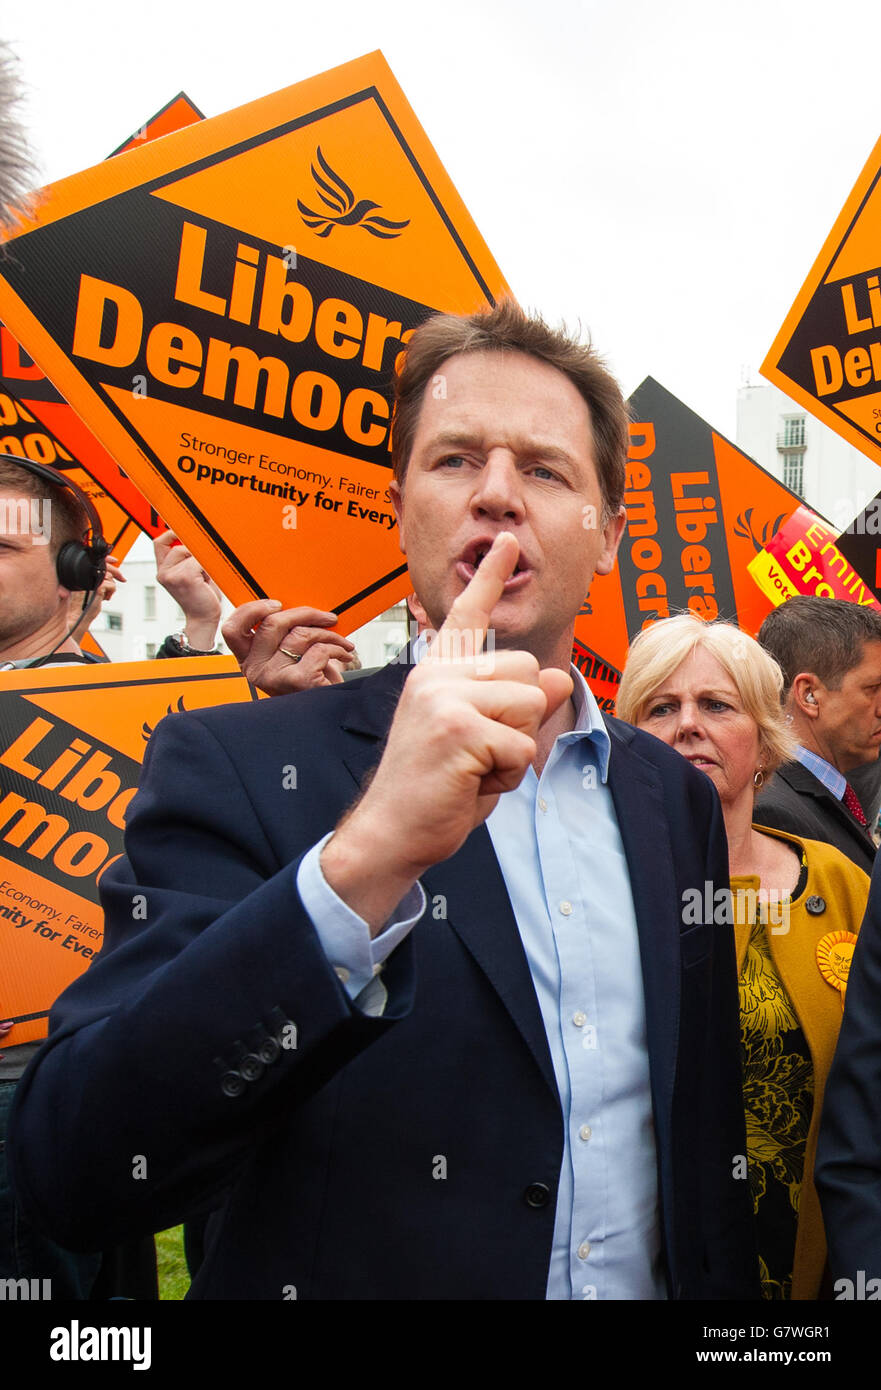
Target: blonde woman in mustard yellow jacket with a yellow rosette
(715,696)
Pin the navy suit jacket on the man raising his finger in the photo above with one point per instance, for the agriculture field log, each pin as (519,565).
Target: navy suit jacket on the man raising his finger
(176,1046)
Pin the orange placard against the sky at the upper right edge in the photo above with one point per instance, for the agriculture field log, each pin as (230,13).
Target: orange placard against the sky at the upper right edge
(828,355)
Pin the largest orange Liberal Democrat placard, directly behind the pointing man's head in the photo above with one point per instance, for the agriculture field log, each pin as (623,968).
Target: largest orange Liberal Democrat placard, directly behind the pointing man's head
(224,309)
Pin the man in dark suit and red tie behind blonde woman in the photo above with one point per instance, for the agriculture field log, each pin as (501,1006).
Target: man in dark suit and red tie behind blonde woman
(830,654)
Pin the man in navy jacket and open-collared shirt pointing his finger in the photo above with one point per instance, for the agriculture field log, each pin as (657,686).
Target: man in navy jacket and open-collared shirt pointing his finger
(534,1090)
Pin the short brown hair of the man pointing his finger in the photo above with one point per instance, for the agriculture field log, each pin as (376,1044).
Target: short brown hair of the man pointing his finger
(507,329)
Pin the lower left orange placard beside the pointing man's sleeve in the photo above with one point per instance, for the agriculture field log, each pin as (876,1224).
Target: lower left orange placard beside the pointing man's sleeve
(72,744)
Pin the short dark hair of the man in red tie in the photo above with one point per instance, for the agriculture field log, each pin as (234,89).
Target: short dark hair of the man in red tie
(825,637)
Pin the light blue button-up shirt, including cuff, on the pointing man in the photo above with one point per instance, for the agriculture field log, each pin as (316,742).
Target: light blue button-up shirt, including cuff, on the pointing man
(562,858)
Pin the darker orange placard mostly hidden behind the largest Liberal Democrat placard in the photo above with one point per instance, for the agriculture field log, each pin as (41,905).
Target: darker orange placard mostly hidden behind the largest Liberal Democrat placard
(65,441)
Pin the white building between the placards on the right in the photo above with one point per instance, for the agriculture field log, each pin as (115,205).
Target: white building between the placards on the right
(809,458)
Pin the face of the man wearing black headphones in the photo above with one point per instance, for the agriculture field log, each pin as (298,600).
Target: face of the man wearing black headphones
(30,590)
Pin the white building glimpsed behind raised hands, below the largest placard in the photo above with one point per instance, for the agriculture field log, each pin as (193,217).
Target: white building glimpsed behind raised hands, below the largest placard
(142,614)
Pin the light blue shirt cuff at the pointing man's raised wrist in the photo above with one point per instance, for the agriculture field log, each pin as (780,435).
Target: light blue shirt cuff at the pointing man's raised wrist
(345,938)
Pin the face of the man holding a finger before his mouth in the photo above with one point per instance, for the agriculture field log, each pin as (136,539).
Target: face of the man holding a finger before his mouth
(505,444)
